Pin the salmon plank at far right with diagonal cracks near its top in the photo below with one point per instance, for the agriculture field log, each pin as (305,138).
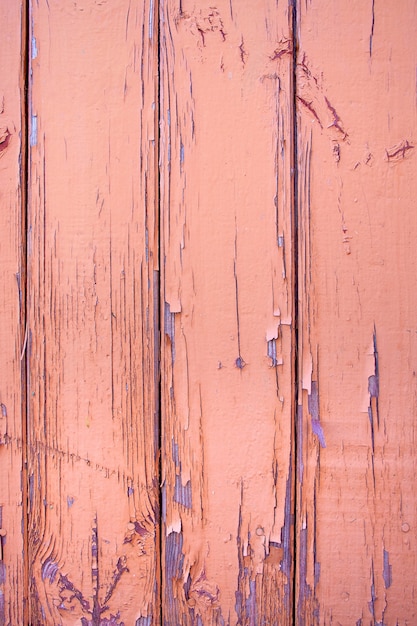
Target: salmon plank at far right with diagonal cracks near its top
(356,92)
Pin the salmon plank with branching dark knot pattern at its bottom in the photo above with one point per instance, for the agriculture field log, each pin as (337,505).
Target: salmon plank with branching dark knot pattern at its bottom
(92,302)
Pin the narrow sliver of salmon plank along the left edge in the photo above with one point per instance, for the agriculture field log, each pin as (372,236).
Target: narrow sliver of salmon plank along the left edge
(12,297)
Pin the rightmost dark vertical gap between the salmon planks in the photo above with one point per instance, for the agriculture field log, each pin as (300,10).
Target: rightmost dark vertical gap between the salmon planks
(295,261)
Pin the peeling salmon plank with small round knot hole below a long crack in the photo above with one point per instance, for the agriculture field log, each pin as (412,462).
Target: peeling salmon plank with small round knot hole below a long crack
(226,214)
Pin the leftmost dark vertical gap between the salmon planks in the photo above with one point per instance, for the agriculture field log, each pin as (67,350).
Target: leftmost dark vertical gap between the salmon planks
(22,280)
